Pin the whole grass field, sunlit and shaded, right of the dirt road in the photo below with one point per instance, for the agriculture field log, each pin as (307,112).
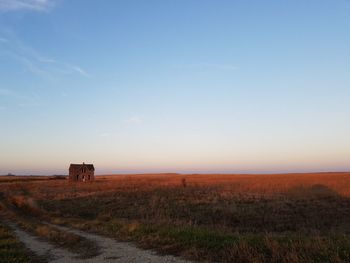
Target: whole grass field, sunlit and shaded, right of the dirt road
(225,218)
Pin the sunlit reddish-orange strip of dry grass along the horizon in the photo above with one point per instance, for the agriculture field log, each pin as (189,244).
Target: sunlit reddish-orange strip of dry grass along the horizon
(261,184)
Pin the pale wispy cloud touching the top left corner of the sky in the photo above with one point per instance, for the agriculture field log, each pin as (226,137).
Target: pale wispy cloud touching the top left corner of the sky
(31,5)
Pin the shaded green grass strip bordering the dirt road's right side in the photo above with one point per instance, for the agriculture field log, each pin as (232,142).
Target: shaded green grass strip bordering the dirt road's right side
(204,244)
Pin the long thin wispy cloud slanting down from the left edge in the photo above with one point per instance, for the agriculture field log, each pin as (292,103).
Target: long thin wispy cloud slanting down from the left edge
(35,63)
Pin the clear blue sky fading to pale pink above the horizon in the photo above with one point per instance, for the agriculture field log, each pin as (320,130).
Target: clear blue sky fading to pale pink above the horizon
(241,86)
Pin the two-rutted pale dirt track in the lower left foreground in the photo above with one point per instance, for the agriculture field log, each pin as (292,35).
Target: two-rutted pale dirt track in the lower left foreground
(111,250)
